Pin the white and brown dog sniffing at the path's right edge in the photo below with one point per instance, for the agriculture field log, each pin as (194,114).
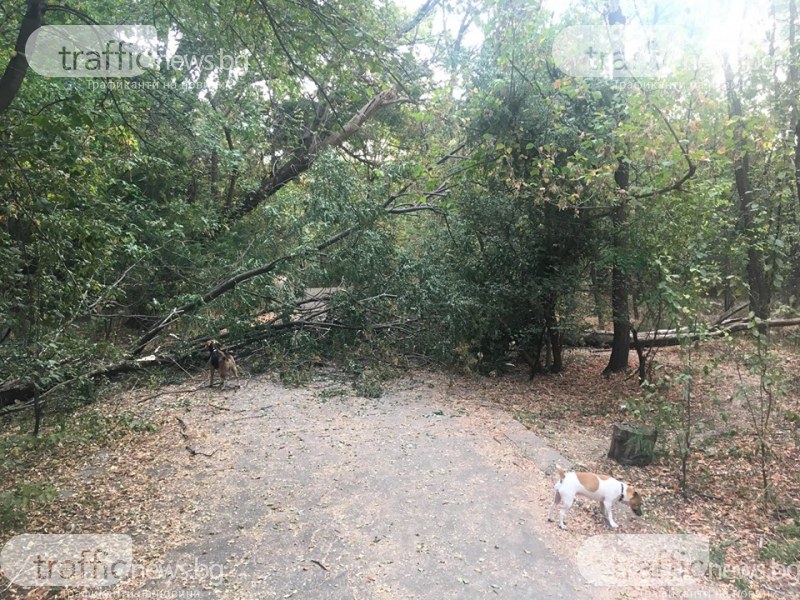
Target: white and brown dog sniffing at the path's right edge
(597,487)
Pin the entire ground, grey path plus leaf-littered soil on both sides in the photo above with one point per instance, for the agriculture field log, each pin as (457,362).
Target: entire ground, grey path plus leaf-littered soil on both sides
(438,489)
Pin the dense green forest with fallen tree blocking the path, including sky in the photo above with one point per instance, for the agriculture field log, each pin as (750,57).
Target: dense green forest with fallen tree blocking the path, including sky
(473,185)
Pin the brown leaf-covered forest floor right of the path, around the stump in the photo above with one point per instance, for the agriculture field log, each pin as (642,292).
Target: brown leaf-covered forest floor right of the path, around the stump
(754,544)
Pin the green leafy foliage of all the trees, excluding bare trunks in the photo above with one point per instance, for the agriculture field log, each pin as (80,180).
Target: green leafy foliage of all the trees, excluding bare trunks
(119,205)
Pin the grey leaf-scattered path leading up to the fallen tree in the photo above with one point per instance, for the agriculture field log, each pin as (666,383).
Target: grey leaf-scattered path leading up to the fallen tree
(316,494)
